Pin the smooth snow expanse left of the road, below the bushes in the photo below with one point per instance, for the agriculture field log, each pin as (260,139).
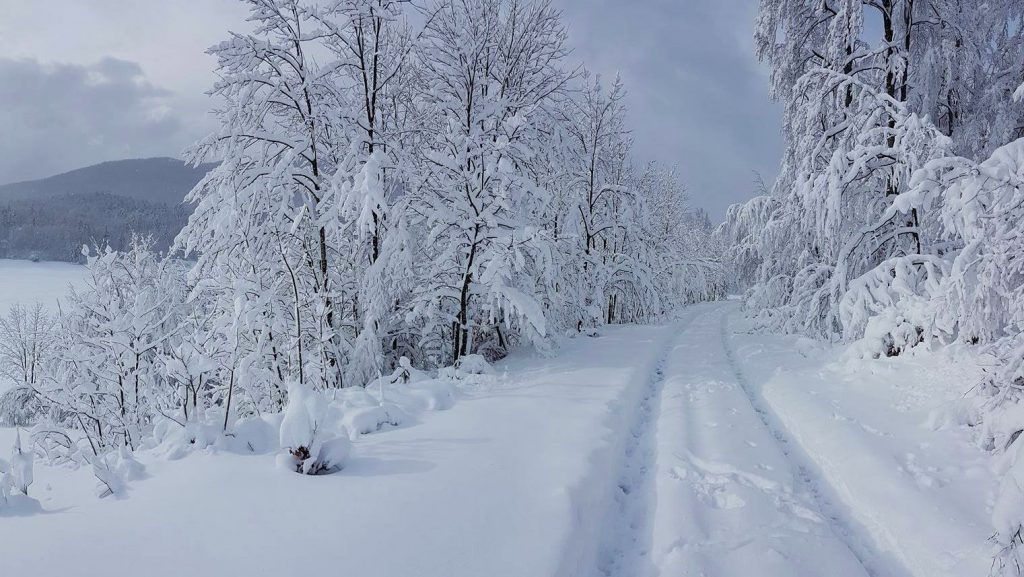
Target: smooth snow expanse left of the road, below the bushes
(509,482)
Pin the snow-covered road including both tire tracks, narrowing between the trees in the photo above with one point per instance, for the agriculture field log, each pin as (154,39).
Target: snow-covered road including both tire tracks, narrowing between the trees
(706,488)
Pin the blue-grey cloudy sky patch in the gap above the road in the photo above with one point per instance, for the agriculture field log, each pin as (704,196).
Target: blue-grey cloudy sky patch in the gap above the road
(698,97)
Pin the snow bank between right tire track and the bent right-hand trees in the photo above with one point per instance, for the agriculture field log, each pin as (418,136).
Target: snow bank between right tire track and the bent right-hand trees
(921,497)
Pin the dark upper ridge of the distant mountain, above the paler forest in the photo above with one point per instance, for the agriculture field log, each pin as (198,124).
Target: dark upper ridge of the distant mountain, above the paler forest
(164,181)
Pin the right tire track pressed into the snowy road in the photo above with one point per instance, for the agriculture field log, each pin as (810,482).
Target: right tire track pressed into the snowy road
(843,528)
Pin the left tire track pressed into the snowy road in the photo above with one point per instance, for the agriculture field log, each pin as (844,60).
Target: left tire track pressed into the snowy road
(624,551)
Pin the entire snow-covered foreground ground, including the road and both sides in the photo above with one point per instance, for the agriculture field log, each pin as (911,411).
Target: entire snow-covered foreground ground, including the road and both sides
(688,449)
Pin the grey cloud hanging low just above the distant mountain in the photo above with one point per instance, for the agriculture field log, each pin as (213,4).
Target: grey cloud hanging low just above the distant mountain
(55,117)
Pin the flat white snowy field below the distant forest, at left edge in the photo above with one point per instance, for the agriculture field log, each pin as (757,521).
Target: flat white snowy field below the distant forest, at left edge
(26,282)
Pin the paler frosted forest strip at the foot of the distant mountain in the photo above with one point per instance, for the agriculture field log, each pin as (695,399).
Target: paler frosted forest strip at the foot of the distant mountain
(56,228)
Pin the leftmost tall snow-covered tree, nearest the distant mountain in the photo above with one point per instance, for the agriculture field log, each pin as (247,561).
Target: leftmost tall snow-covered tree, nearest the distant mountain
(260,230)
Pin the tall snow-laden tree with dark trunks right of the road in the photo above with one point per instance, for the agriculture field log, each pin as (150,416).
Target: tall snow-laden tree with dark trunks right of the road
(862,116)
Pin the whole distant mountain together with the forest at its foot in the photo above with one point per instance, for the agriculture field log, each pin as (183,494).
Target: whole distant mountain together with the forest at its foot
(101,205)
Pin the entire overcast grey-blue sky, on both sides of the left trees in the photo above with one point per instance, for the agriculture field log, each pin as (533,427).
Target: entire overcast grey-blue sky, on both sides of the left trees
(113,79)
